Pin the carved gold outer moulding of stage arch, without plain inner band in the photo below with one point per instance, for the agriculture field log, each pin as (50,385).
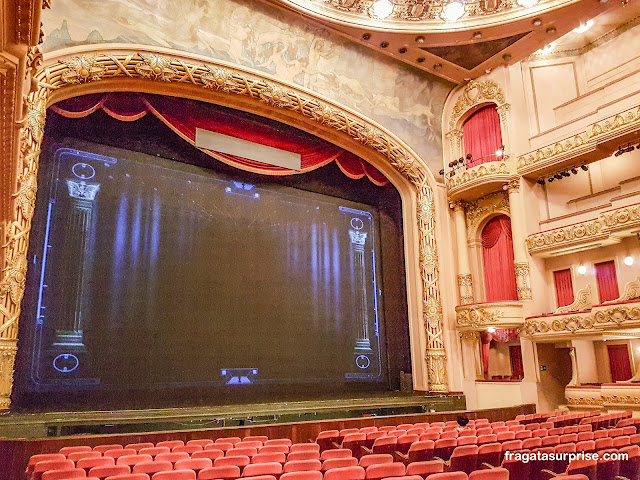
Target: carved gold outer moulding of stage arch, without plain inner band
(150,67)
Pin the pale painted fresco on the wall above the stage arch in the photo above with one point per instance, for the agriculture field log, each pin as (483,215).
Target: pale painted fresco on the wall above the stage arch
(404,100)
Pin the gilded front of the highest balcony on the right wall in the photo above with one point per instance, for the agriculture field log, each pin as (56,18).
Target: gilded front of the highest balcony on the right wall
(585,141)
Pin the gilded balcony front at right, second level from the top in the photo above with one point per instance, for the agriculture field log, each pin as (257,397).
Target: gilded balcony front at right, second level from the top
(599,229)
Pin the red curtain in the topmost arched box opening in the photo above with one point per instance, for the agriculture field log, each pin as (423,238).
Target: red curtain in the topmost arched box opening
(482,136)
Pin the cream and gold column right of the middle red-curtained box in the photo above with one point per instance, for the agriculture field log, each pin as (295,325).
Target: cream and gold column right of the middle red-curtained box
(520,259)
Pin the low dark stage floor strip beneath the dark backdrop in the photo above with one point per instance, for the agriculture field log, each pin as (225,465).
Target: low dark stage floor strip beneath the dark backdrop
(52,424)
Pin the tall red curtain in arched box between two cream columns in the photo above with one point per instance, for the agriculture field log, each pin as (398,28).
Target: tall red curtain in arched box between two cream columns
(497,251)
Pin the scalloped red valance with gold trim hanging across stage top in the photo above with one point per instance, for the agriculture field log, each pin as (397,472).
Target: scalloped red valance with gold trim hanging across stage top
(185,116)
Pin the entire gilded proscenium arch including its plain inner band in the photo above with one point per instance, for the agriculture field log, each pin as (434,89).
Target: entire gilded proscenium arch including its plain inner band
(80,71)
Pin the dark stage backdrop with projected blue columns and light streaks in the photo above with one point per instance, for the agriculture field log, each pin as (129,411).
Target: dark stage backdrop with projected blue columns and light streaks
(151,275)
